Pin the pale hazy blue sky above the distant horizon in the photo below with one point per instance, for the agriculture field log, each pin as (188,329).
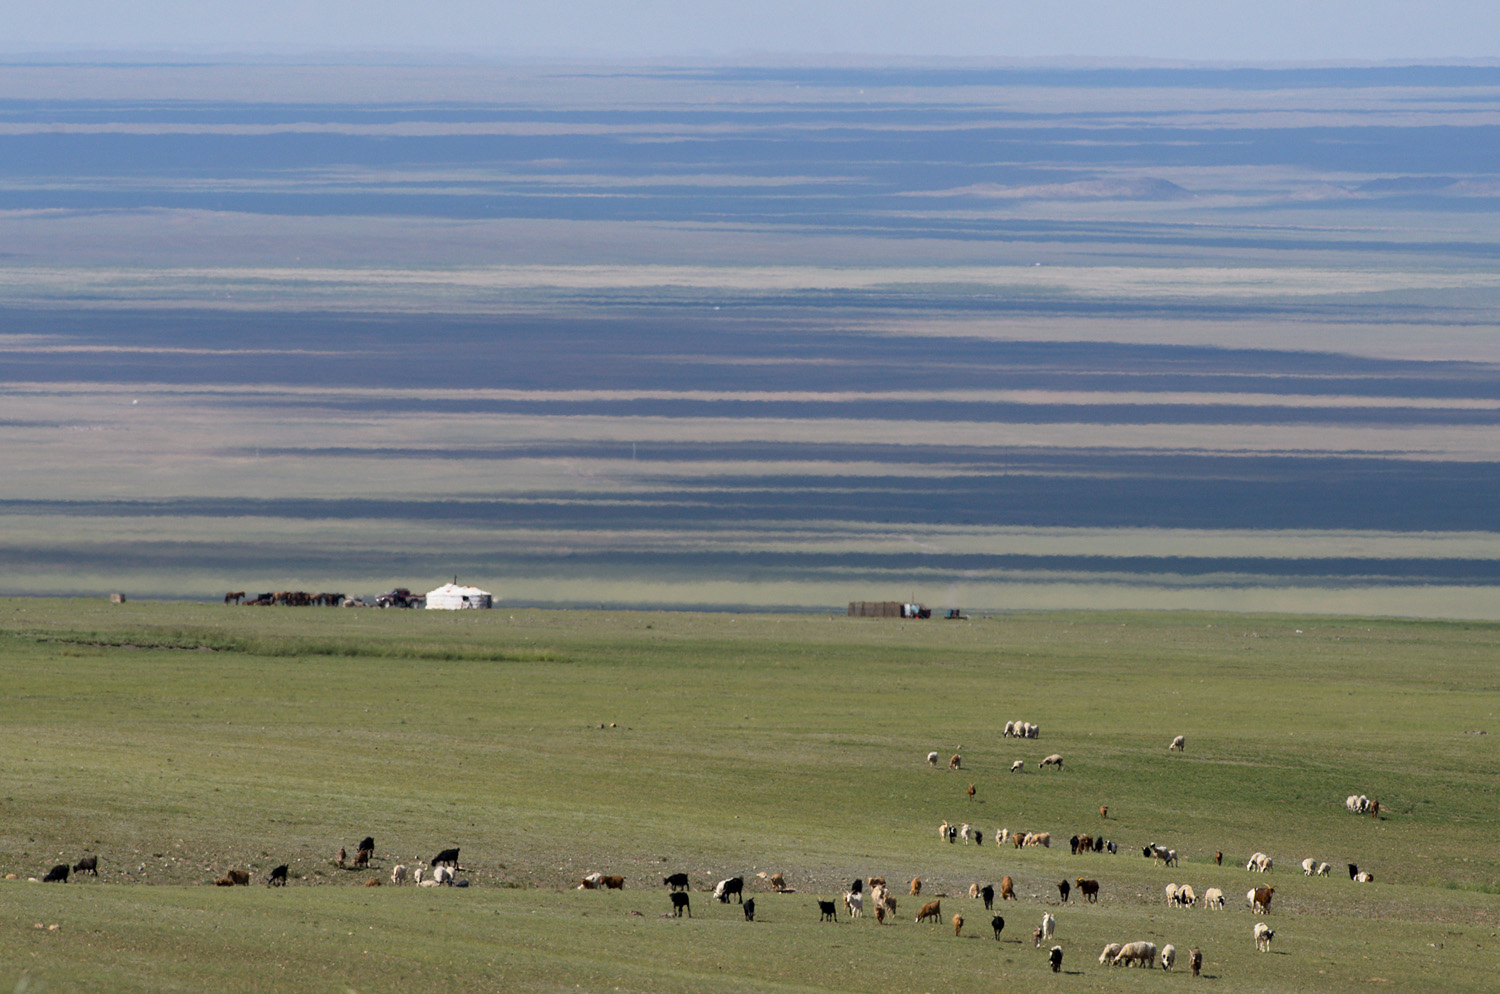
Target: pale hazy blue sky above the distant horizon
(1174,31)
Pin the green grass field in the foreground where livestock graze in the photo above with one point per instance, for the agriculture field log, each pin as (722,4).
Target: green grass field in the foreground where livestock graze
(179,741)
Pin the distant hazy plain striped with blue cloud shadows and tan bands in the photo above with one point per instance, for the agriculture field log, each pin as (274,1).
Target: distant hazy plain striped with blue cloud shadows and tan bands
(769,338)
